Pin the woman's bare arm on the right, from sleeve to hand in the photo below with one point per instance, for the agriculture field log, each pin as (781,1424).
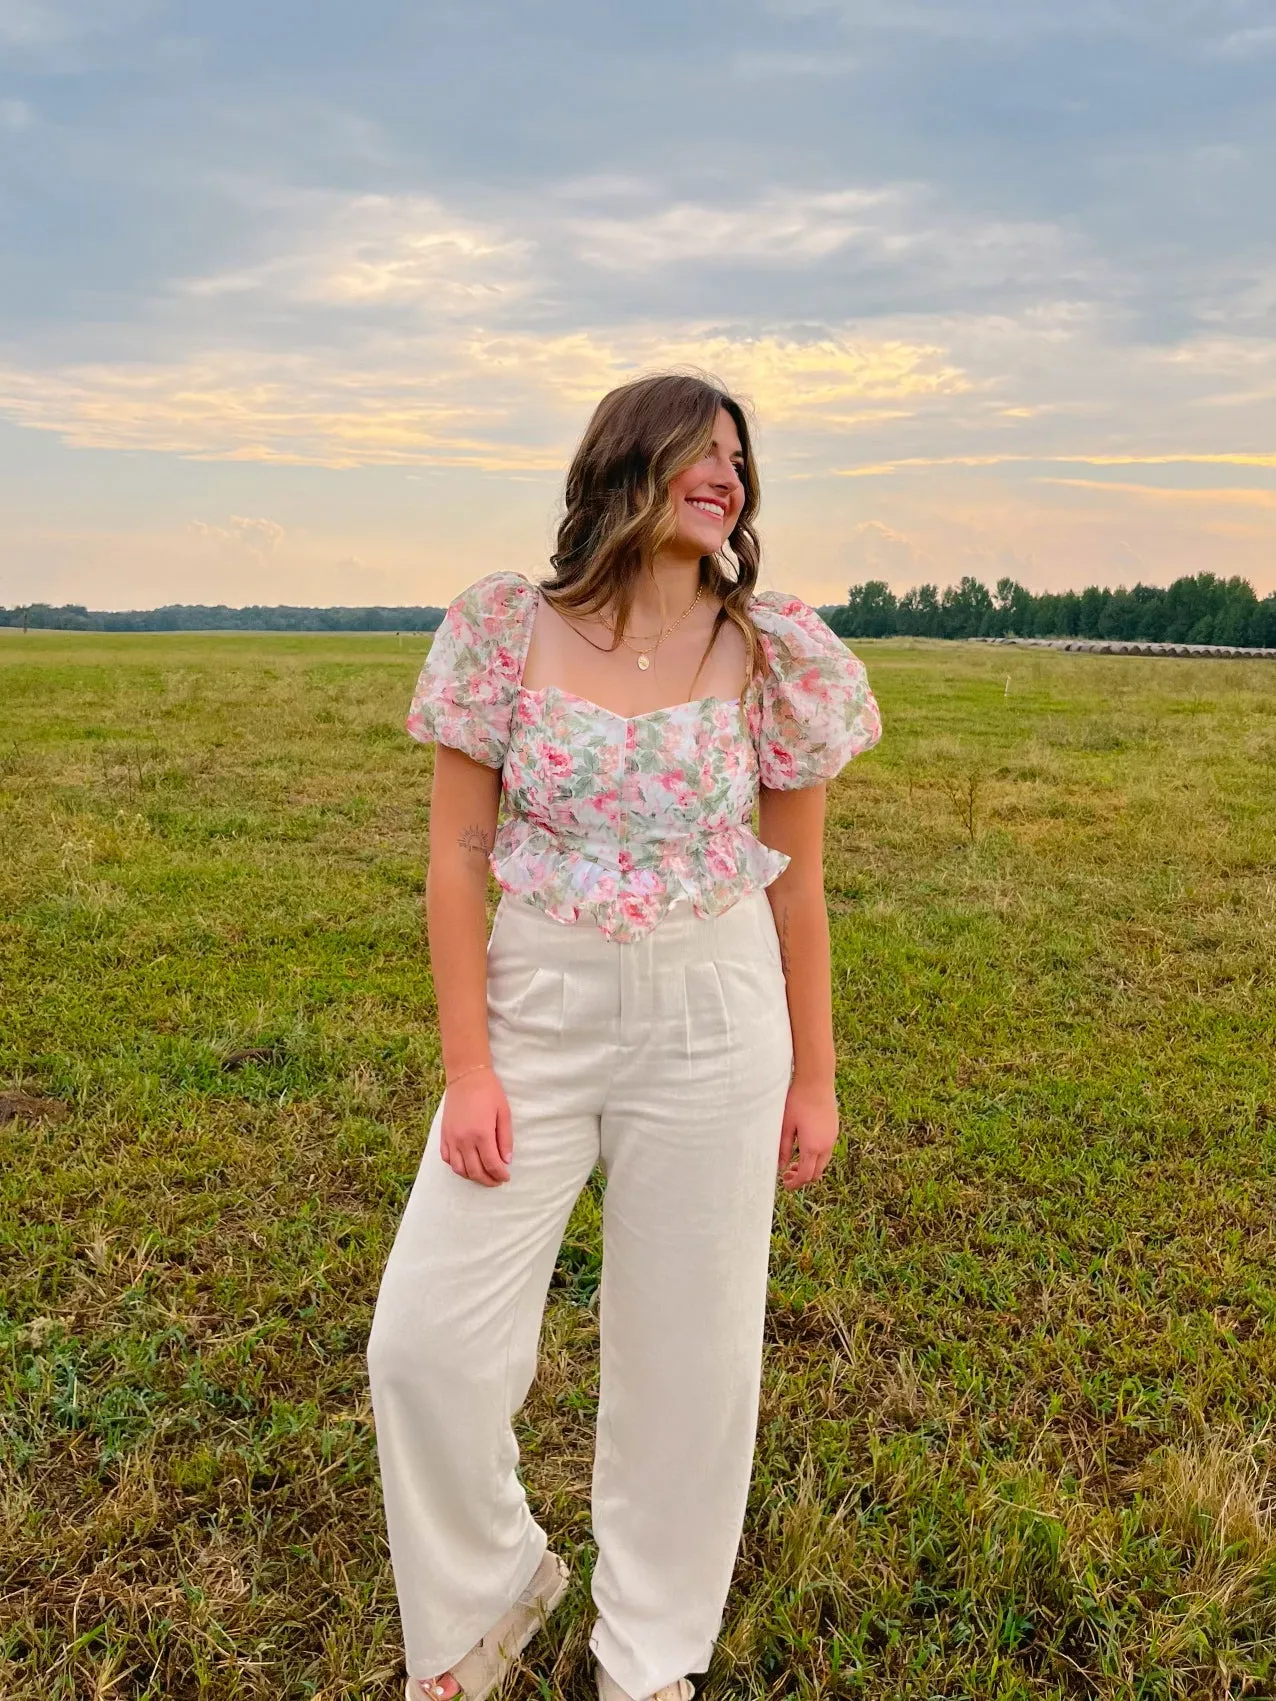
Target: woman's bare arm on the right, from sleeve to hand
(794,822)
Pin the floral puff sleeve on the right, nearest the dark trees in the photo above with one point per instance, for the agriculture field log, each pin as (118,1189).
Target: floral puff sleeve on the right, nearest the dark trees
(816,708)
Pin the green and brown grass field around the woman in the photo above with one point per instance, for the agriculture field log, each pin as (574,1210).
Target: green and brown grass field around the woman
(1022,1375)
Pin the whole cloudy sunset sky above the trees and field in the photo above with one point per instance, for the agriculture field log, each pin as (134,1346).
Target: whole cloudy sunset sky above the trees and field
(310,302)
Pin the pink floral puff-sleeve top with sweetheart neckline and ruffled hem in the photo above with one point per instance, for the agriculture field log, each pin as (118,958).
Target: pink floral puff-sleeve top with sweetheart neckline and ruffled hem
(613,819)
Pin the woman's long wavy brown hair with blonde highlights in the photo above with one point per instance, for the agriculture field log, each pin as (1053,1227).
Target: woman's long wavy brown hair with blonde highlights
(618,513)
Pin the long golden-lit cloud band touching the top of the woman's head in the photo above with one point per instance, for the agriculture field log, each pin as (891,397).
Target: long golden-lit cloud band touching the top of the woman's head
(493,402)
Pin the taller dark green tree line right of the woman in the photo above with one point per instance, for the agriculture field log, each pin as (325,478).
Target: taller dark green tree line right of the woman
(1195,610)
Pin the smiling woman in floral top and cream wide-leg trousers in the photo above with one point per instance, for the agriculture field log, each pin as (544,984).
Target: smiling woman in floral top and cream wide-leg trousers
(654,1001)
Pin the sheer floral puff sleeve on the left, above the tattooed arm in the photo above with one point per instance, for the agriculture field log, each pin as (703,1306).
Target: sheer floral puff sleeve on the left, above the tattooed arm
(467,690)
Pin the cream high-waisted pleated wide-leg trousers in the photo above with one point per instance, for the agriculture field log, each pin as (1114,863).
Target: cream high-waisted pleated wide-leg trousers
(666,1062)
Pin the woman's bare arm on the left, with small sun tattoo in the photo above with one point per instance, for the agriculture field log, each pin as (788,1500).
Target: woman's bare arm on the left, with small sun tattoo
(477,1135)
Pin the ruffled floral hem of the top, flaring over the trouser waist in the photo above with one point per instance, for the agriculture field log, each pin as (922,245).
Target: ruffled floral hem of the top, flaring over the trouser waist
(714,872)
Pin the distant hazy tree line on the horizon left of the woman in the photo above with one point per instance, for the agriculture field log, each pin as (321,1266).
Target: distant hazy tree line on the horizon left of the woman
(197,617)
